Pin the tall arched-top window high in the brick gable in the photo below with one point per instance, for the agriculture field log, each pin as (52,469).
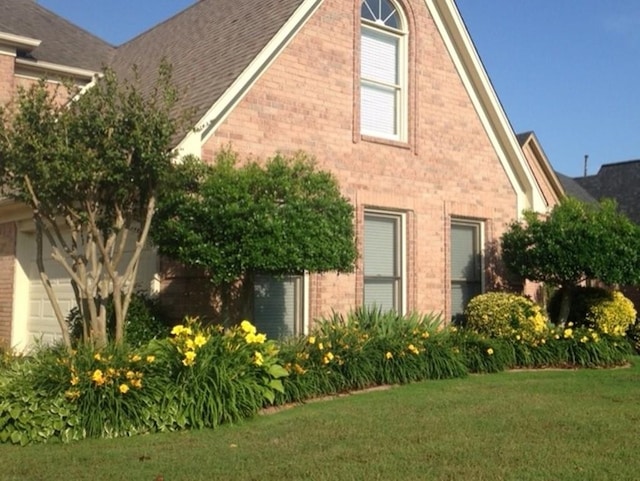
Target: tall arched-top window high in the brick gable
(383,70)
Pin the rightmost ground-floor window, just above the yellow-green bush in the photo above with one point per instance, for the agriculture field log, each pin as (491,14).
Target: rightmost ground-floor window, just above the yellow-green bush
(466,265)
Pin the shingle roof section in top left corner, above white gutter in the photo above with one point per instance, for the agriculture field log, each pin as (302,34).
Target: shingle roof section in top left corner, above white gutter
(62,43)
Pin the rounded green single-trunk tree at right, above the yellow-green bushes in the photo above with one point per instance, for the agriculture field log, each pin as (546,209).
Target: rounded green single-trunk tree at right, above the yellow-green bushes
(576,242)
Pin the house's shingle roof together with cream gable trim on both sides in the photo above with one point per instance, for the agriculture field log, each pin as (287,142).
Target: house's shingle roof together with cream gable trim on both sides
(218,49)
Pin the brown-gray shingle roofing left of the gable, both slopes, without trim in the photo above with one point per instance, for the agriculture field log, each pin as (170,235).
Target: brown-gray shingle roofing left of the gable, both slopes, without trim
(208,45)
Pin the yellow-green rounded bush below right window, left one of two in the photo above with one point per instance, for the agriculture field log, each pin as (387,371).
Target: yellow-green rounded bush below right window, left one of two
(501,314)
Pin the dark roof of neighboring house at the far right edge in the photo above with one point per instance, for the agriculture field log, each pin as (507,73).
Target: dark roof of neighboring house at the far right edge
(618,181)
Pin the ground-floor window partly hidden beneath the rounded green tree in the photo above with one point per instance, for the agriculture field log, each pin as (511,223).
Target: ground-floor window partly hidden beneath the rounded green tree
(278,305)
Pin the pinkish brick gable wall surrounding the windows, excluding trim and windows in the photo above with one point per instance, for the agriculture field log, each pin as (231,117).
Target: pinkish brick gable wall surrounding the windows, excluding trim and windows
(308,100)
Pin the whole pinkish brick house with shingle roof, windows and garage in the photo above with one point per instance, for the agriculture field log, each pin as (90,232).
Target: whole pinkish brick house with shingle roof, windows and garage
(390,96)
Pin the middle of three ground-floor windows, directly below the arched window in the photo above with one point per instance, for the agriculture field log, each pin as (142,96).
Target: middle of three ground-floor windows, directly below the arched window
(383,261)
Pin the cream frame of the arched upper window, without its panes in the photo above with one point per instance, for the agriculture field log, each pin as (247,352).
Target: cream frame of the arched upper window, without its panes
(401,120)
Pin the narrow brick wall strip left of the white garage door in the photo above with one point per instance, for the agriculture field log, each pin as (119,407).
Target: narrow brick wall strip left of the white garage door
(7,268)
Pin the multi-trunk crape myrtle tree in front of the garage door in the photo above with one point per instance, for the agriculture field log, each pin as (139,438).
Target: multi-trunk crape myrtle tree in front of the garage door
(89,164)
